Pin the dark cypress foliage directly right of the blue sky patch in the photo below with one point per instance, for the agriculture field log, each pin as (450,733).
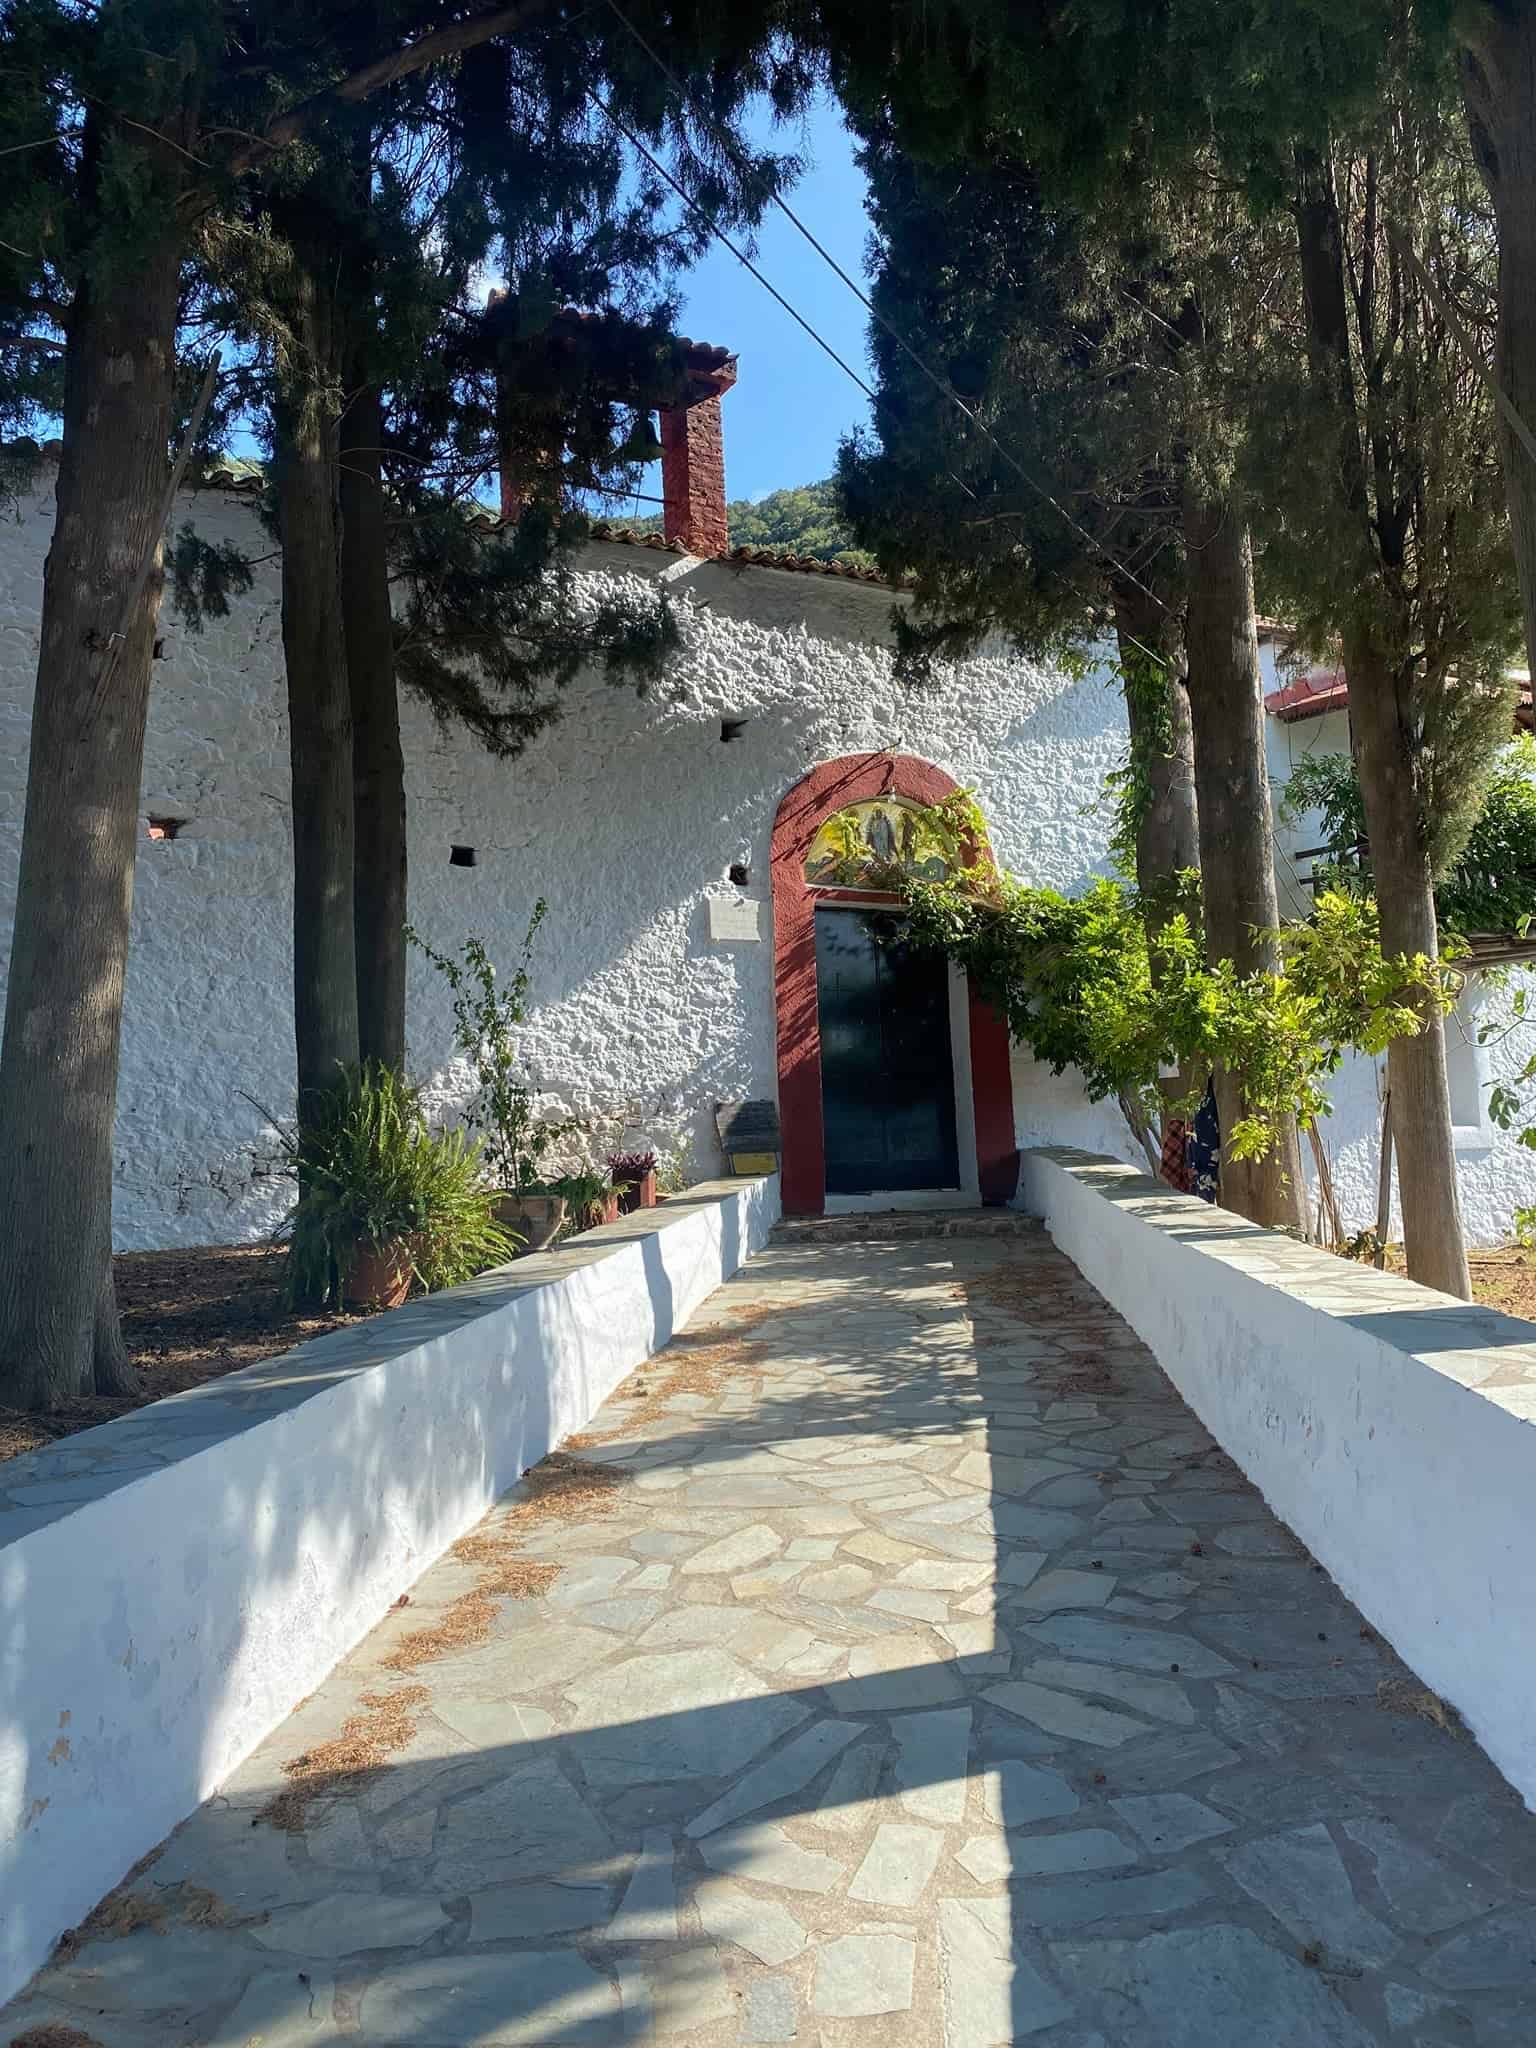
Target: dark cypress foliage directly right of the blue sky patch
(1019,304)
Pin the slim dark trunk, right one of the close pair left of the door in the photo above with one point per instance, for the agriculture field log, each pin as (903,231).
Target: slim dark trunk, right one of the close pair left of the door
(378,761)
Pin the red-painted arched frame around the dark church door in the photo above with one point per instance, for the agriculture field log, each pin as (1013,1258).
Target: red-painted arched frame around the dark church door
(814,800)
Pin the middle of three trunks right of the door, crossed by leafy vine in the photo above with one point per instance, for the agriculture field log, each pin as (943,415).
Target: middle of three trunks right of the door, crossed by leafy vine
(1236,828)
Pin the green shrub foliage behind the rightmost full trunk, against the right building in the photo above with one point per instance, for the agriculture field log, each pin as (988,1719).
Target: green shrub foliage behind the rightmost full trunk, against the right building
(1490,888)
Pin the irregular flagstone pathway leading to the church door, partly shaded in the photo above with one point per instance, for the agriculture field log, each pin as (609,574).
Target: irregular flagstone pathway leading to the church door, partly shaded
(927,1678)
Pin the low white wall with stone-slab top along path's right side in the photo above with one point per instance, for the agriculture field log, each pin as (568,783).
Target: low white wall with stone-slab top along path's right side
(1385,1424)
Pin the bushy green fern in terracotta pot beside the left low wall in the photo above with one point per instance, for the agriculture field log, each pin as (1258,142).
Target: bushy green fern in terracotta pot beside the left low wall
(372,1172)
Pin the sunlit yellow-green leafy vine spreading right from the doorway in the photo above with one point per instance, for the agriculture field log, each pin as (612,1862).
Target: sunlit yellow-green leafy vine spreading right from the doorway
(1084,986)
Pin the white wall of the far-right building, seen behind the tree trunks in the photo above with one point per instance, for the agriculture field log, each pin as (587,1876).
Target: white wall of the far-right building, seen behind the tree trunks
(1494,1172)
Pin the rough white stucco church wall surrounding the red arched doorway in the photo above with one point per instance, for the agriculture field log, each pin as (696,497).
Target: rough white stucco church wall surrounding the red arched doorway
(626,818)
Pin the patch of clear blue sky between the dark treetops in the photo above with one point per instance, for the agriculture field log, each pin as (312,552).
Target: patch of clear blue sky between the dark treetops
(792,404)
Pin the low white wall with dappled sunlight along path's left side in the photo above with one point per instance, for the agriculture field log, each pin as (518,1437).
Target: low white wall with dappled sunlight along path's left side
(175,1582)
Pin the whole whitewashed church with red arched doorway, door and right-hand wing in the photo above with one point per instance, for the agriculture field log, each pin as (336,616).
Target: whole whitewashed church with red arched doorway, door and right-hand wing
(687,959)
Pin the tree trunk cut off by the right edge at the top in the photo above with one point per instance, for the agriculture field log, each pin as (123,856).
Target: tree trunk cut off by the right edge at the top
(1500,89)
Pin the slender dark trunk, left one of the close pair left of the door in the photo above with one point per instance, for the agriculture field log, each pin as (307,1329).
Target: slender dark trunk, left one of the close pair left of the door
(321,712)
